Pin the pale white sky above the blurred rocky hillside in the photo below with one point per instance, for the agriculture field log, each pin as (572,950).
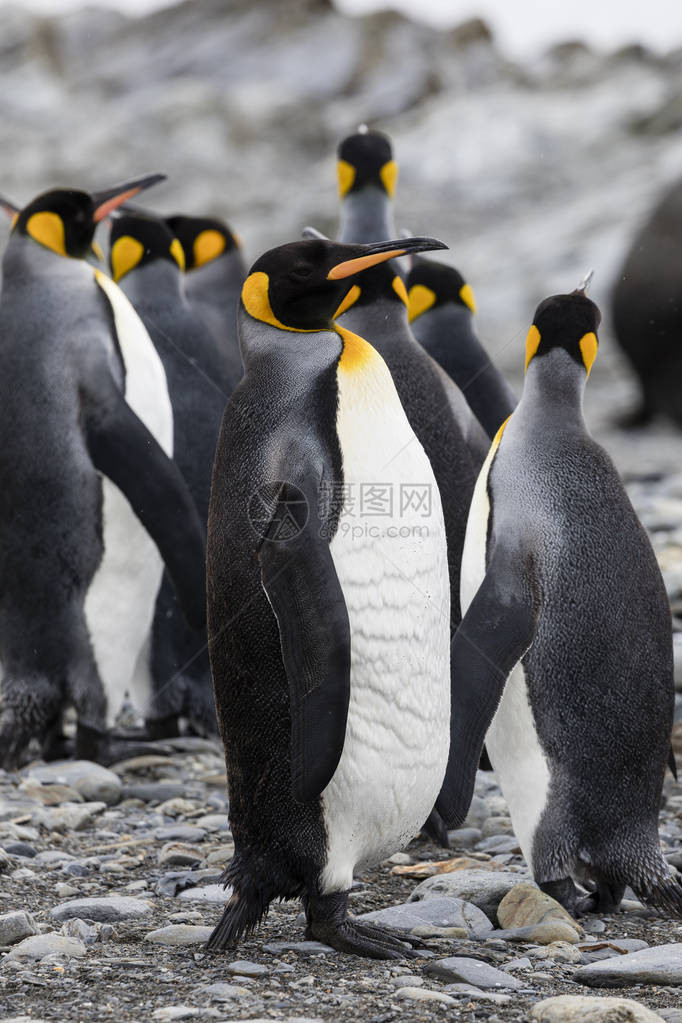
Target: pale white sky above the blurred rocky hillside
(523,27)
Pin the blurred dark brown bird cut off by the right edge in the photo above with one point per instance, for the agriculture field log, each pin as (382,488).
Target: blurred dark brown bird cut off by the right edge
(648,310)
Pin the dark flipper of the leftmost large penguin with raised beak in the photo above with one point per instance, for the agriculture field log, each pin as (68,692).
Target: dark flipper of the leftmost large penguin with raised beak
(122,449)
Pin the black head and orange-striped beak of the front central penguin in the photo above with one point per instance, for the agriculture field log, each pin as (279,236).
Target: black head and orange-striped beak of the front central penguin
(305,285)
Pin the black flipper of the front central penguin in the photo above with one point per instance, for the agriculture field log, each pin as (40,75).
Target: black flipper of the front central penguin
(301,583)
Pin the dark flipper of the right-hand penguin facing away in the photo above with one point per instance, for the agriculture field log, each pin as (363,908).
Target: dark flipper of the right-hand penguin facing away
(493,637)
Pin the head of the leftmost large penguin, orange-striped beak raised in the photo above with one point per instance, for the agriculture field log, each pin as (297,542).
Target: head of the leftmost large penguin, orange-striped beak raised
(65,219)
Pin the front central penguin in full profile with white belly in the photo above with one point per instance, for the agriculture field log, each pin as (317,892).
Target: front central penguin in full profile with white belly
(329,603)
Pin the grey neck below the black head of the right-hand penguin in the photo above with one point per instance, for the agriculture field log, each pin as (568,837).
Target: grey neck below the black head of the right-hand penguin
(555,382)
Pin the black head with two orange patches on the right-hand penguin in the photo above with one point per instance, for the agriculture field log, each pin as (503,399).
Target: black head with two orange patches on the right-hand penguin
(568,322)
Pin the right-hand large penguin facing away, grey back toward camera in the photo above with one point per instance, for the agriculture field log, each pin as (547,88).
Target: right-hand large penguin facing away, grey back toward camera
(566,617)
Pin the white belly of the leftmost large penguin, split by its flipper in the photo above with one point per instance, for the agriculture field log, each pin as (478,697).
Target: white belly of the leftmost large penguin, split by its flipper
(120,604)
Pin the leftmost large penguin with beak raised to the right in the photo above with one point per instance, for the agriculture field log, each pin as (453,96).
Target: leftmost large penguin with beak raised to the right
(73,381)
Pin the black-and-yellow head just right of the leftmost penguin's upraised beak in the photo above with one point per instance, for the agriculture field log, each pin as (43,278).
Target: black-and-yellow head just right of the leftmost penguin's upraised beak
(139,239)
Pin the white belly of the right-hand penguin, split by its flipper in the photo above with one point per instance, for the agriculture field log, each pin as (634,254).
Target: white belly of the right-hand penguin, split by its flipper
(520,765)
